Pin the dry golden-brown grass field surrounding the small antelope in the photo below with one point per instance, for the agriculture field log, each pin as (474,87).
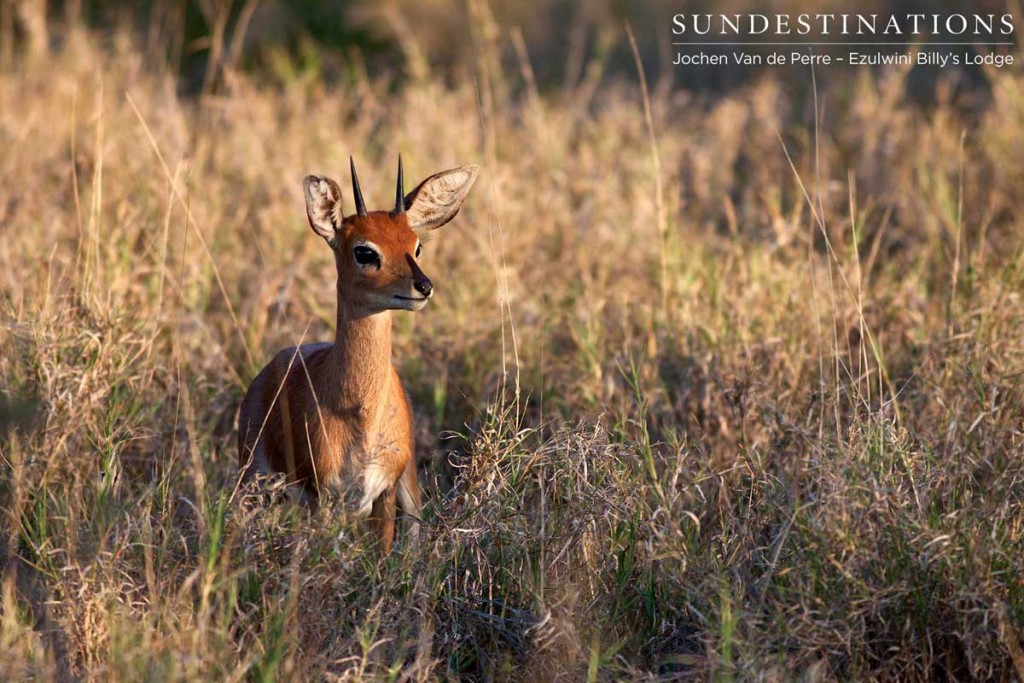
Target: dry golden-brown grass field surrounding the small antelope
(734,394)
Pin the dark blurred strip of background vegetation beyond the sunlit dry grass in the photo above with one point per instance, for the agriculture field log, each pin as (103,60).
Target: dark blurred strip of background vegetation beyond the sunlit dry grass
(567,40)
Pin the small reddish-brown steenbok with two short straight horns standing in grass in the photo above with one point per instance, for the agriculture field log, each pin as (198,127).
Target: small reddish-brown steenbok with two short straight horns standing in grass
(332,414)
